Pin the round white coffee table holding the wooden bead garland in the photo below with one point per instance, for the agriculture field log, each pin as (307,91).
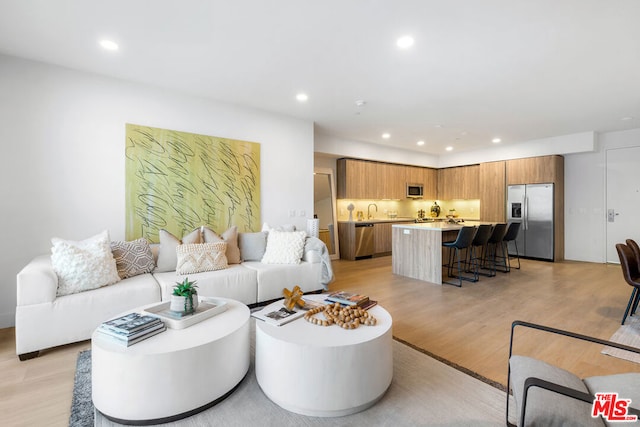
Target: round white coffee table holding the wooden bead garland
(325,371)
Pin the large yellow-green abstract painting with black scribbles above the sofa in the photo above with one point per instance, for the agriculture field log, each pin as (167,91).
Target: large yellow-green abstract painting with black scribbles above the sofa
(178,181)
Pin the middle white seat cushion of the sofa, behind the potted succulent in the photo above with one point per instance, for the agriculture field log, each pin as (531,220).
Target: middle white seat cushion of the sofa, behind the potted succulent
(235,282)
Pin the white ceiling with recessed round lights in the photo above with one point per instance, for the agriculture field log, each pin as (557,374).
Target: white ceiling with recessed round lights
(515,69)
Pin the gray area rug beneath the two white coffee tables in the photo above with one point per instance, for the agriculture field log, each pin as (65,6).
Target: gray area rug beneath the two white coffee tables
(424,392)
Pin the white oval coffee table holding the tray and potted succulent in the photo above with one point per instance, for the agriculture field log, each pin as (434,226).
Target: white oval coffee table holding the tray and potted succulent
(174,374)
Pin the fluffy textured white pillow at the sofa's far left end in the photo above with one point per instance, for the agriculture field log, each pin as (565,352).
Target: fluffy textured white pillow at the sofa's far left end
(83,265)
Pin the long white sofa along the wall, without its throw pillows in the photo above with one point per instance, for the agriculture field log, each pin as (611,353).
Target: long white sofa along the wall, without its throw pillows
(45,319)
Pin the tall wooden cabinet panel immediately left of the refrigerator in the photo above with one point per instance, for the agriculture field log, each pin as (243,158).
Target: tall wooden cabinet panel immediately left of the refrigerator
(492,191)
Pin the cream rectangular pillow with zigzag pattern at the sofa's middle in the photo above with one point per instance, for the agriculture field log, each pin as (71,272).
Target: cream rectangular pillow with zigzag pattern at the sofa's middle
(196,258)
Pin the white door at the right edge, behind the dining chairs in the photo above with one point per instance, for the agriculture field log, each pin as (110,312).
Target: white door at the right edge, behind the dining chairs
(623,198)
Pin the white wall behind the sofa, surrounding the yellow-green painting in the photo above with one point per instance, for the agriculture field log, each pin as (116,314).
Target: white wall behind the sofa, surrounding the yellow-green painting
(62,163)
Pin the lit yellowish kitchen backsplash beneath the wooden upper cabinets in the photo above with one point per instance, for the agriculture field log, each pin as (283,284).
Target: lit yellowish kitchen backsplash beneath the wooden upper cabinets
(467,209)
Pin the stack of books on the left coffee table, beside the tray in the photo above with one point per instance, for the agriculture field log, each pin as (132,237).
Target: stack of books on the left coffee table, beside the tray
(132,328)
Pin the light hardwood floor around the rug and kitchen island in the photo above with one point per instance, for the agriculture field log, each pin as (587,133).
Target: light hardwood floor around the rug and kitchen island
(468,326)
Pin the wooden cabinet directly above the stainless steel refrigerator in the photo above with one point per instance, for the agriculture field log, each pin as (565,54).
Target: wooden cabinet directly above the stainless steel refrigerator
(535,170)
